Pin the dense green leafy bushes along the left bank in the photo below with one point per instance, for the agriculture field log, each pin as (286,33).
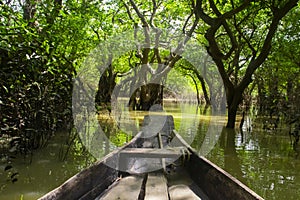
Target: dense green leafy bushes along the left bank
(39,57)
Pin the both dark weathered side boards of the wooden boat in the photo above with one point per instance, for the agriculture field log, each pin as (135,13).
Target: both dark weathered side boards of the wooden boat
(196,163)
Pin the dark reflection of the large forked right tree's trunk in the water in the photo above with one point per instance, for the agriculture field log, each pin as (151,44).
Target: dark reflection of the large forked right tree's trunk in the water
(231,160)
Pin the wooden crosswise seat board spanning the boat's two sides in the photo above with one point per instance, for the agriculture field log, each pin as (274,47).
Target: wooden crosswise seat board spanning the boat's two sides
(152,153)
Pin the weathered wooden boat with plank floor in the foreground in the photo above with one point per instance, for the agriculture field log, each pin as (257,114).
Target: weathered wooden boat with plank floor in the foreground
(206,179)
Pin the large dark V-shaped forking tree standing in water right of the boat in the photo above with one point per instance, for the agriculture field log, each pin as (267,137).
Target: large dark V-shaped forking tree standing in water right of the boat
(239,38)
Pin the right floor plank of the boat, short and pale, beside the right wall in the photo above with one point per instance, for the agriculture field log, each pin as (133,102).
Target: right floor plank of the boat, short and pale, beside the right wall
(179,192)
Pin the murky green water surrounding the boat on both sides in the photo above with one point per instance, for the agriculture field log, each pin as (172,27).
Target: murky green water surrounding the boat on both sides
(263,160)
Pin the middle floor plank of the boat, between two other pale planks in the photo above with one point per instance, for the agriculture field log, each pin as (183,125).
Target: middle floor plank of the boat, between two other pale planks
(156,187)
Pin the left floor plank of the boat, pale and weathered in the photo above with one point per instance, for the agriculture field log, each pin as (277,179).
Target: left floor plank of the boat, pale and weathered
(127,188)
